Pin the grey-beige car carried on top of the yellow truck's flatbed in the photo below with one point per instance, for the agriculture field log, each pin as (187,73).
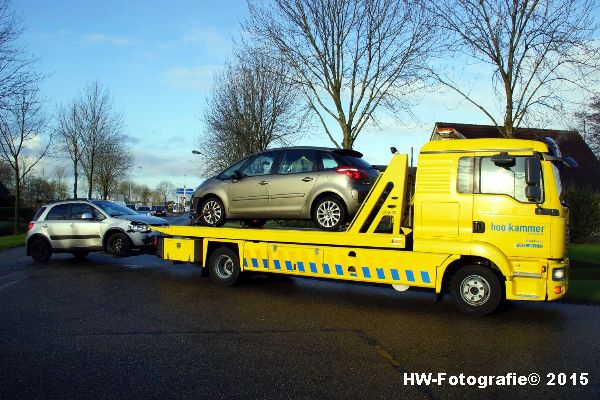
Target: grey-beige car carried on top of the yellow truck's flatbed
(322,184)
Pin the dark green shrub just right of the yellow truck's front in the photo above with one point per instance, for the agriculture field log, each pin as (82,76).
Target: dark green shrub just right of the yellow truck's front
(584,206)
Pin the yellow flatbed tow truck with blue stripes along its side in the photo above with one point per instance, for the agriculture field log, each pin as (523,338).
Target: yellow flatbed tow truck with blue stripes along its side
(480,218)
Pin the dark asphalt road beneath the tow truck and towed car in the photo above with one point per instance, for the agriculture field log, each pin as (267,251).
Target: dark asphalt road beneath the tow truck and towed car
(139,327)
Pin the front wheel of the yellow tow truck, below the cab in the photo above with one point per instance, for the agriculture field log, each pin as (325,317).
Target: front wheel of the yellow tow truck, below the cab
(476,290)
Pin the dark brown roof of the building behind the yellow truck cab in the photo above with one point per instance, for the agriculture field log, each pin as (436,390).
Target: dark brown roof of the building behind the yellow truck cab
(571,144)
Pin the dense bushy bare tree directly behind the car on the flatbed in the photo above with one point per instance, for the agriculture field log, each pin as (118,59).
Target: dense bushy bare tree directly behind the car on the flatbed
(252,106)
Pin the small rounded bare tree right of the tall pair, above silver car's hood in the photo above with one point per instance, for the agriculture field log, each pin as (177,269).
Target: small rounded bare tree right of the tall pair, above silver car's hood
(112,163)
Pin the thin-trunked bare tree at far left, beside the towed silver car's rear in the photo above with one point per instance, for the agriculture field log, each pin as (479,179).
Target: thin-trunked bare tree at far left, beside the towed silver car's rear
(21,128)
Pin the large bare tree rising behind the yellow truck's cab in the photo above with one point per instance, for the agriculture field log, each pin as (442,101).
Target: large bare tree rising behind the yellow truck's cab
(537,51)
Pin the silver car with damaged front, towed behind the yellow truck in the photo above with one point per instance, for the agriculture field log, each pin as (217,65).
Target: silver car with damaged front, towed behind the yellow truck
(81,226)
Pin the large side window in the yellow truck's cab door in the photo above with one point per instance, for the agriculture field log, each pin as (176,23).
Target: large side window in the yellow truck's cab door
(509,180)
